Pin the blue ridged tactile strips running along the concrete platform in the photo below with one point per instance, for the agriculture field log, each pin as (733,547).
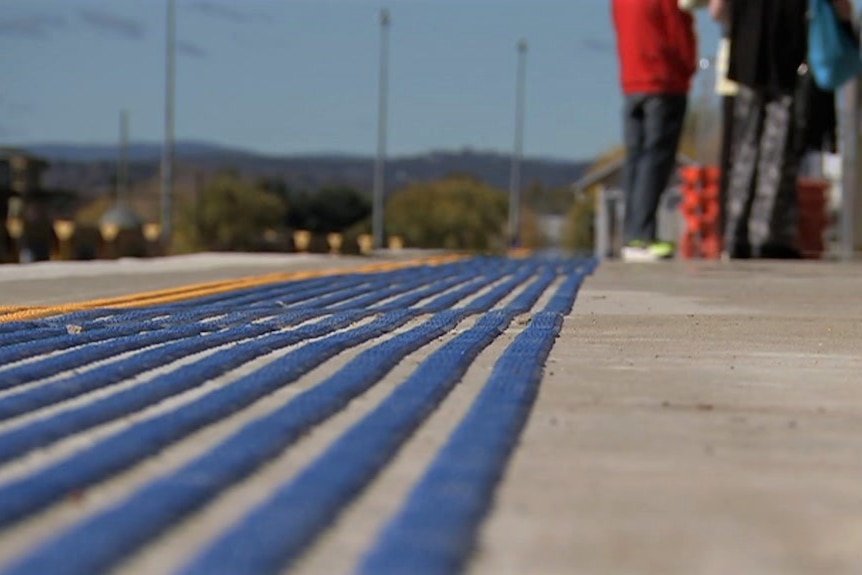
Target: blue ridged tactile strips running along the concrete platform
(301,324)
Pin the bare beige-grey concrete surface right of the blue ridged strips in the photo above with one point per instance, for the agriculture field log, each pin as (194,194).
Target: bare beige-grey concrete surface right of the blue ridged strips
(696,418)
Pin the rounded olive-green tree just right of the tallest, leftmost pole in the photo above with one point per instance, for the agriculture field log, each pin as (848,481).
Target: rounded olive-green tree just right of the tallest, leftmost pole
(232,214)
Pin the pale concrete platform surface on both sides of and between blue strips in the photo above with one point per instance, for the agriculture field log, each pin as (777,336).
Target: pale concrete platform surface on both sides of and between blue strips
(695,418)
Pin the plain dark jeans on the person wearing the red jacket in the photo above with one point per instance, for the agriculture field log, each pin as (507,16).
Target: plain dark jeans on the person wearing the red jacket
(652,125)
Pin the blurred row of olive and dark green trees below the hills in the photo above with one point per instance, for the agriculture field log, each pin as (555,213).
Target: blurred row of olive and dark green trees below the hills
(458,212)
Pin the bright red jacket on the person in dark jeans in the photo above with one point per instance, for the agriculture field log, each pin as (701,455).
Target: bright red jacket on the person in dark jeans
(656,45)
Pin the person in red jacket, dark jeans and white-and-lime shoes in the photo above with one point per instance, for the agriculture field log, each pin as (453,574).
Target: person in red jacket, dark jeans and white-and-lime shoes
(657,51)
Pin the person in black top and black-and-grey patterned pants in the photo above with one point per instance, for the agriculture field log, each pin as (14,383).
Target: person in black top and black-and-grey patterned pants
(771,128)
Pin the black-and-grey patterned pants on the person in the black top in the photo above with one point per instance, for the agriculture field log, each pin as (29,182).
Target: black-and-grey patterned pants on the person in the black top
(762,206)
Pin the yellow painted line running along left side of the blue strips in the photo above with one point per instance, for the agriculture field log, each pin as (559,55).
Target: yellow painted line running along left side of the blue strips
(192,291)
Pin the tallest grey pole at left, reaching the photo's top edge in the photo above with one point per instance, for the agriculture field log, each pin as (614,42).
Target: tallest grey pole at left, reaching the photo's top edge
(168,147)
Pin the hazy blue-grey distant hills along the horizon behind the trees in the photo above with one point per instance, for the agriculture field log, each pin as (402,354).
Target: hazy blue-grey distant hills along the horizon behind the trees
(89,169)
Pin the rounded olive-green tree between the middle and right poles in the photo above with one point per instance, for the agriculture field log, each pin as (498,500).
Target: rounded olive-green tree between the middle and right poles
(459,212)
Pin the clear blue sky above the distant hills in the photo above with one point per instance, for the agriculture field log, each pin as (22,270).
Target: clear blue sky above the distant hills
(301,76)
